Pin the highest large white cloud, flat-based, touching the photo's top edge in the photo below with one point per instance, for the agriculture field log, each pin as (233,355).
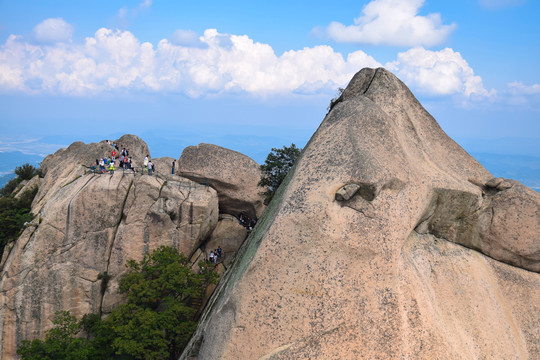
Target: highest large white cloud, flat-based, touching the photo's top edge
(392,22)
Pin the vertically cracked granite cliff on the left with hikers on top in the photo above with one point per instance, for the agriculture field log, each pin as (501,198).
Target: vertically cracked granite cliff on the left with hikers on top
(87,225)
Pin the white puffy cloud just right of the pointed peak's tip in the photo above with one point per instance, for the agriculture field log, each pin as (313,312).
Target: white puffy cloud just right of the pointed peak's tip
(443,72)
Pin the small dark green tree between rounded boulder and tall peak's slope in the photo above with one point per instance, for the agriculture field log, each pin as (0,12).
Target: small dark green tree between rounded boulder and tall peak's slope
(276,167)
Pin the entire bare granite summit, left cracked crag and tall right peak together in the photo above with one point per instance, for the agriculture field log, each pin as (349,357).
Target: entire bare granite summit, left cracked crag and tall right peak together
(385,241)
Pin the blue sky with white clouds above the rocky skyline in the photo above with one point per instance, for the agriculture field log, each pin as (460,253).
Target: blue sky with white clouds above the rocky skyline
(254,75)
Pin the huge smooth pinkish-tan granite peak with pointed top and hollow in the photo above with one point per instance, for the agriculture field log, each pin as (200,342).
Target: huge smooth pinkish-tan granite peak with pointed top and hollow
(386,241)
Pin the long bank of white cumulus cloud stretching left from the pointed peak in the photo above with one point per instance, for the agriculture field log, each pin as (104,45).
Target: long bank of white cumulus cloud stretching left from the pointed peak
(114,60)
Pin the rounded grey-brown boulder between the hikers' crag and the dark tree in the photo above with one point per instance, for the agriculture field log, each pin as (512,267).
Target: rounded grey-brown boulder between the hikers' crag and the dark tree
(234,176)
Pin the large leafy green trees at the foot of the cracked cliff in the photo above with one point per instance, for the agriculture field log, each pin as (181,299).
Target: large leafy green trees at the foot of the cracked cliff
(155,323)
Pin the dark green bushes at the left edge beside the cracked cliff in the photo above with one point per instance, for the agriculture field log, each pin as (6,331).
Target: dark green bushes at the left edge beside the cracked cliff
(14,213)
